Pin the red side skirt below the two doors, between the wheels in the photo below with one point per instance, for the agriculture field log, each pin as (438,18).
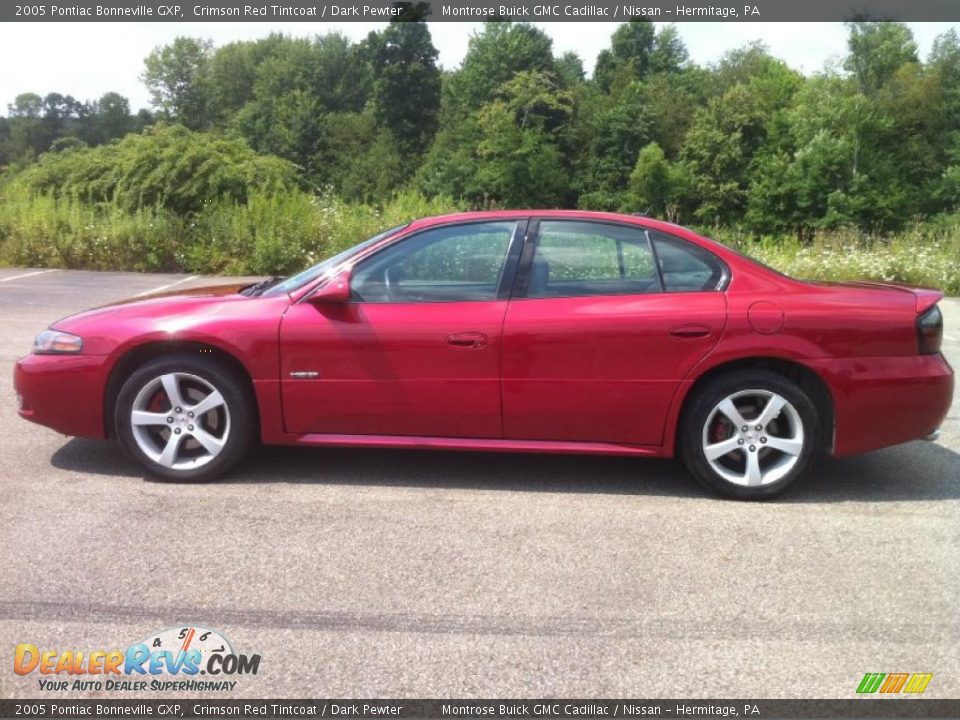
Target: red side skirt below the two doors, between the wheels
(470,444)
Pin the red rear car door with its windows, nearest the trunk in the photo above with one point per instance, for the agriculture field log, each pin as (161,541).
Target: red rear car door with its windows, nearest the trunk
(594,348)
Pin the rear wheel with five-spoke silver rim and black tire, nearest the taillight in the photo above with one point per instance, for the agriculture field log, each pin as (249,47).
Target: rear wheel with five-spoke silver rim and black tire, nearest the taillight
(749,434)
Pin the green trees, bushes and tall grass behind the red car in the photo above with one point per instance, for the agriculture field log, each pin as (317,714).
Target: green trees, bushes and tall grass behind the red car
(261,156)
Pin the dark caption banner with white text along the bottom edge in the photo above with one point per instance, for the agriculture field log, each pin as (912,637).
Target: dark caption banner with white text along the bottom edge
(550,708)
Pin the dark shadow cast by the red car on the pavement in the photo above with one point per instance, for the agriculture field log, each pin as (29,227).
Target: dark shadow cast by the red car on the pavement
(915,471)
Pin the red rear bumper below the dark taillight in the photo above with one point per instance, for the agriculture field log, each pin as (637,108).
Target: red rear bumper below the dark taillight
(886,400)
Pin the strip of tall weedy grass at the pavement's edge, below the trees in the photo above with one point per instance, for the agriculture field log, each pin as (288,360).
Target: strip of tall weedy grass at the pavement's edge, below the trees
(284,231)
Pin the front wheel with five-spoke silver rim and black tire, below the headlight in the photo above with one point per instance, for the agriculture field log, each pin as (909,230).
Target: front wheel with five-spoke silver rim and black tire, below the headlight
(184,418)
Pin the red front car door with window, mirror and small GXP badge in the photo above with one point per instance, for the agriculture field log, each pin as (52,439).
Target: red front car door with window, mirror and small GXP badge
(417,349)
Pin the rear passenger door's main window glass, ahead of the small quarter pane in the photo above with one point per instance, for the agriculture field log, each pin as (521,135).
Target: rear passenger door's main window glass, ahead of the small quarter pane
(574,258)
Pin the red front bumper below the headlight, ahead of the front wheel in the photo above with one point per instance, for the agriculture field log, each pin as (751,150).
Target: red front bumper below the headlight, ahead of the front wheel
(63,392)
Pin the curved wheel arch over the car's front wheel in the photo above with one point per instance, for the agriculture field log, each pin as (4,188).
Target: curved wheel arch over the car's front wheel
(134,357)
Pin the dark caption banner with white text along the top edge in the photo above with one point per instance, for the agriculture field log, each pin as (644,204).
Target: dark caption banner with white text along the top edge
(464,11)
